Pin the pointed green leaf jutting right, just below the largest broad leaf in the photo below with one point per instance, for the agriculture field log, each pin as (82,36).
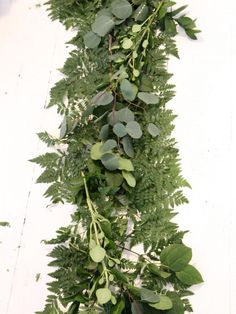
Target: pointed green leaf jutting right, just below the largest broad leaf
(189,275)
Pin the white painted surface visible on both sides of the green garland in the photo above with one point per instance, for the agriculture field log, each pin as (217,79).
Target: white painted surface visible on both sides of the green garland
(31,50)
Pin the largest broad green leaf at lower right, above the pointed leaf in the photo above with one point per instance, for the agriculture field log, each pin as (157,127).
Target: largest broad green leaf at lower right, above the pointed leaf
(176,256)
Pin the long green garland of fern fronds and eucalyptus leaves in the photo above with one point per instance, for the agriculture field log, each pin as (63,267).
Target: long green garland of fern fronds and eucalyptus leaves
(116,162)
